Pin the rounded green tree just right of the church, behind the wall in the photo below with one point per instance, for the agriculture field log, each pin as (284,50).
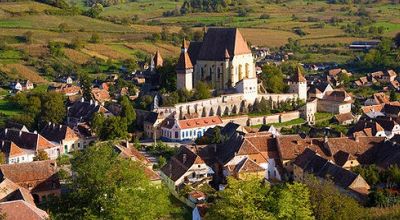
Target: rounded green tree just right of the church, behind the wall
(273,79)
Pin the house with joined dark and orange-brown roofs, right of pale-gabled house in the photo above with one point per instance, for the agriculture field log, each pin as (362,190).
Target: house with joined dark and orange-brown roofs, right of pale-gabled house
(243,155)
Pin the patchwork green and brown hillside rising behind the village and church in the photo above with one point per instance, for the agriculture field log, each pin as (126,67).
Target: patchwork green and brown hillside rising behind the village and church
(132,30)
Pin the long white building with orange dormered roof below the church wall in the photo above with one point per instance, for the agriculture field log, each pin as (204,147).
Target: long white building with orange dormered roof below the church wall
(187,129)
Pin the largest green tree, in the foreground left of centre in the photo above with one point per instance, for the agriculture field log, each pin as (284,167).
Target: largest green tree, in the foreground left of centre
(108,187)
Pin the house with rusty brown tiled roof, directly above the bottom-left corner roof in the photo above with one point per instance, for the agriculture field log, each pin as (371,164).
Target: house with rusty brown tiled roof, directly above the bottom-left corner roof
(39,177)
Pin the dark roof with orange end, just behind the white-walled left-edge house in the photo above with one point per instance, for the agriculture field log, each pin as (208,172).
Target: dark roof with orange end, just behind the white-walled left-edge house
(57,133)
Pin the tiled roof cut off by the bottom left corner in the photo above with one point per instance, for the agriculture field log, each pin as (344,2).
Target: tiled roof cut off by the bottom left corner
(17,210)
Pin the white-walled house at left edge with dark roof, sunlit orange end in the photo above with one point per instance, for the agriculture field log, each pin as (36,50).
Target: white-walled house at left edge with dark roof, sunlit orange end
(31,143)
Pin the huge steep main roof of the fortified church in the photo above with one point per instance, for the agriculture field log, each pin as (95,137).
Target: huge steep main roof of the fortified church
(218,40)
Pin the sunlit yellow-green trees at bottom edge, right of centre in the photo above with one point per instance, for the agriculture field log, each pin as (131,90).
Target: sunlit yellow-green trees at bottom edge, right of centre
(254,199)
